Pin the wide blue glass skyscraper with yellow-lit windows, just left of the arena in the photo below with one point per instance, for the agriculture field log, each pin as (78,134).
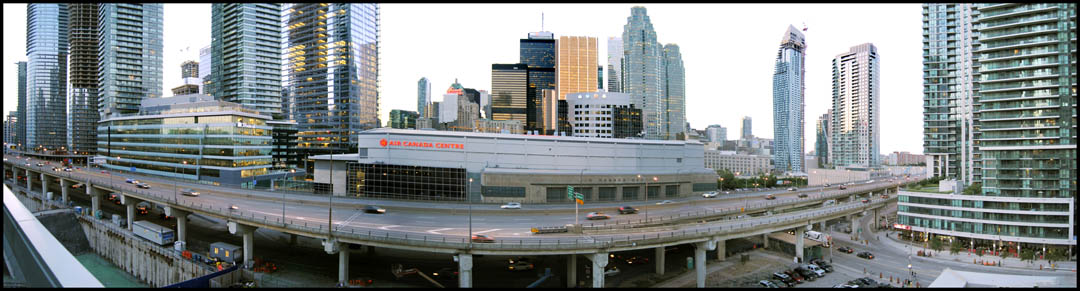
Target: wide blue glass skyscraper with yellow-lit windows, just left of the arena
(332,61)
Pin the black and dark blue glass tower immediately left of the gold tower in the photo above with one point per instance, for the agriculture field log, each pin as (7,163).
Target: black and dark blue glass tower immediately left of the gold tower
(538,54)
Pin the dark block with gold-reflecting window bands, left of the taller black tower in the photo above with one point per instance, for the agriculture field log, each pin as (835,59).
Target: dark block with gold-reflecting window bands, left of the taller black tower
(509,92)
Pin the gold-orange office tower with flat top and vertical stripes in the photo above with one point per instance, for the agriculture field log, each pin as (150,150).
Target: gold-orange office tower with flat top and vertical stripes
(577,65)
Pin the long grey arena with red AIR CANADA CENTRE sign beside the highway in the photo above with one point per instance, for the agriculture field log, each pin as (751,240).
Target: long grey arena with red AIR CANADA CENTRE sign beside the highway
(418,165)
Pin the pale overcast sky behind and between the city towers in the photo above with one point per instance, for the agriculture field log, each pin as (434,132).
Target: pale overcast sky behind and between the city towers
(728,51)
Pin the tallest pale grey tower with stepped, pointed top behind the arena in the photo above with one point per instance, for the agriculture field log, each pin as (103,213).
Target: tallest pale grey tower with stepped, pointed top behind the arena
(643,73)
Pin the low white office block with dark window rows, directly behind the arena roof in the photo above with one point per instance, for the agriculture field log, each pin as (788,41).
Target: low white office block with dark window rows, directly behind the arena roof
(598,115)
